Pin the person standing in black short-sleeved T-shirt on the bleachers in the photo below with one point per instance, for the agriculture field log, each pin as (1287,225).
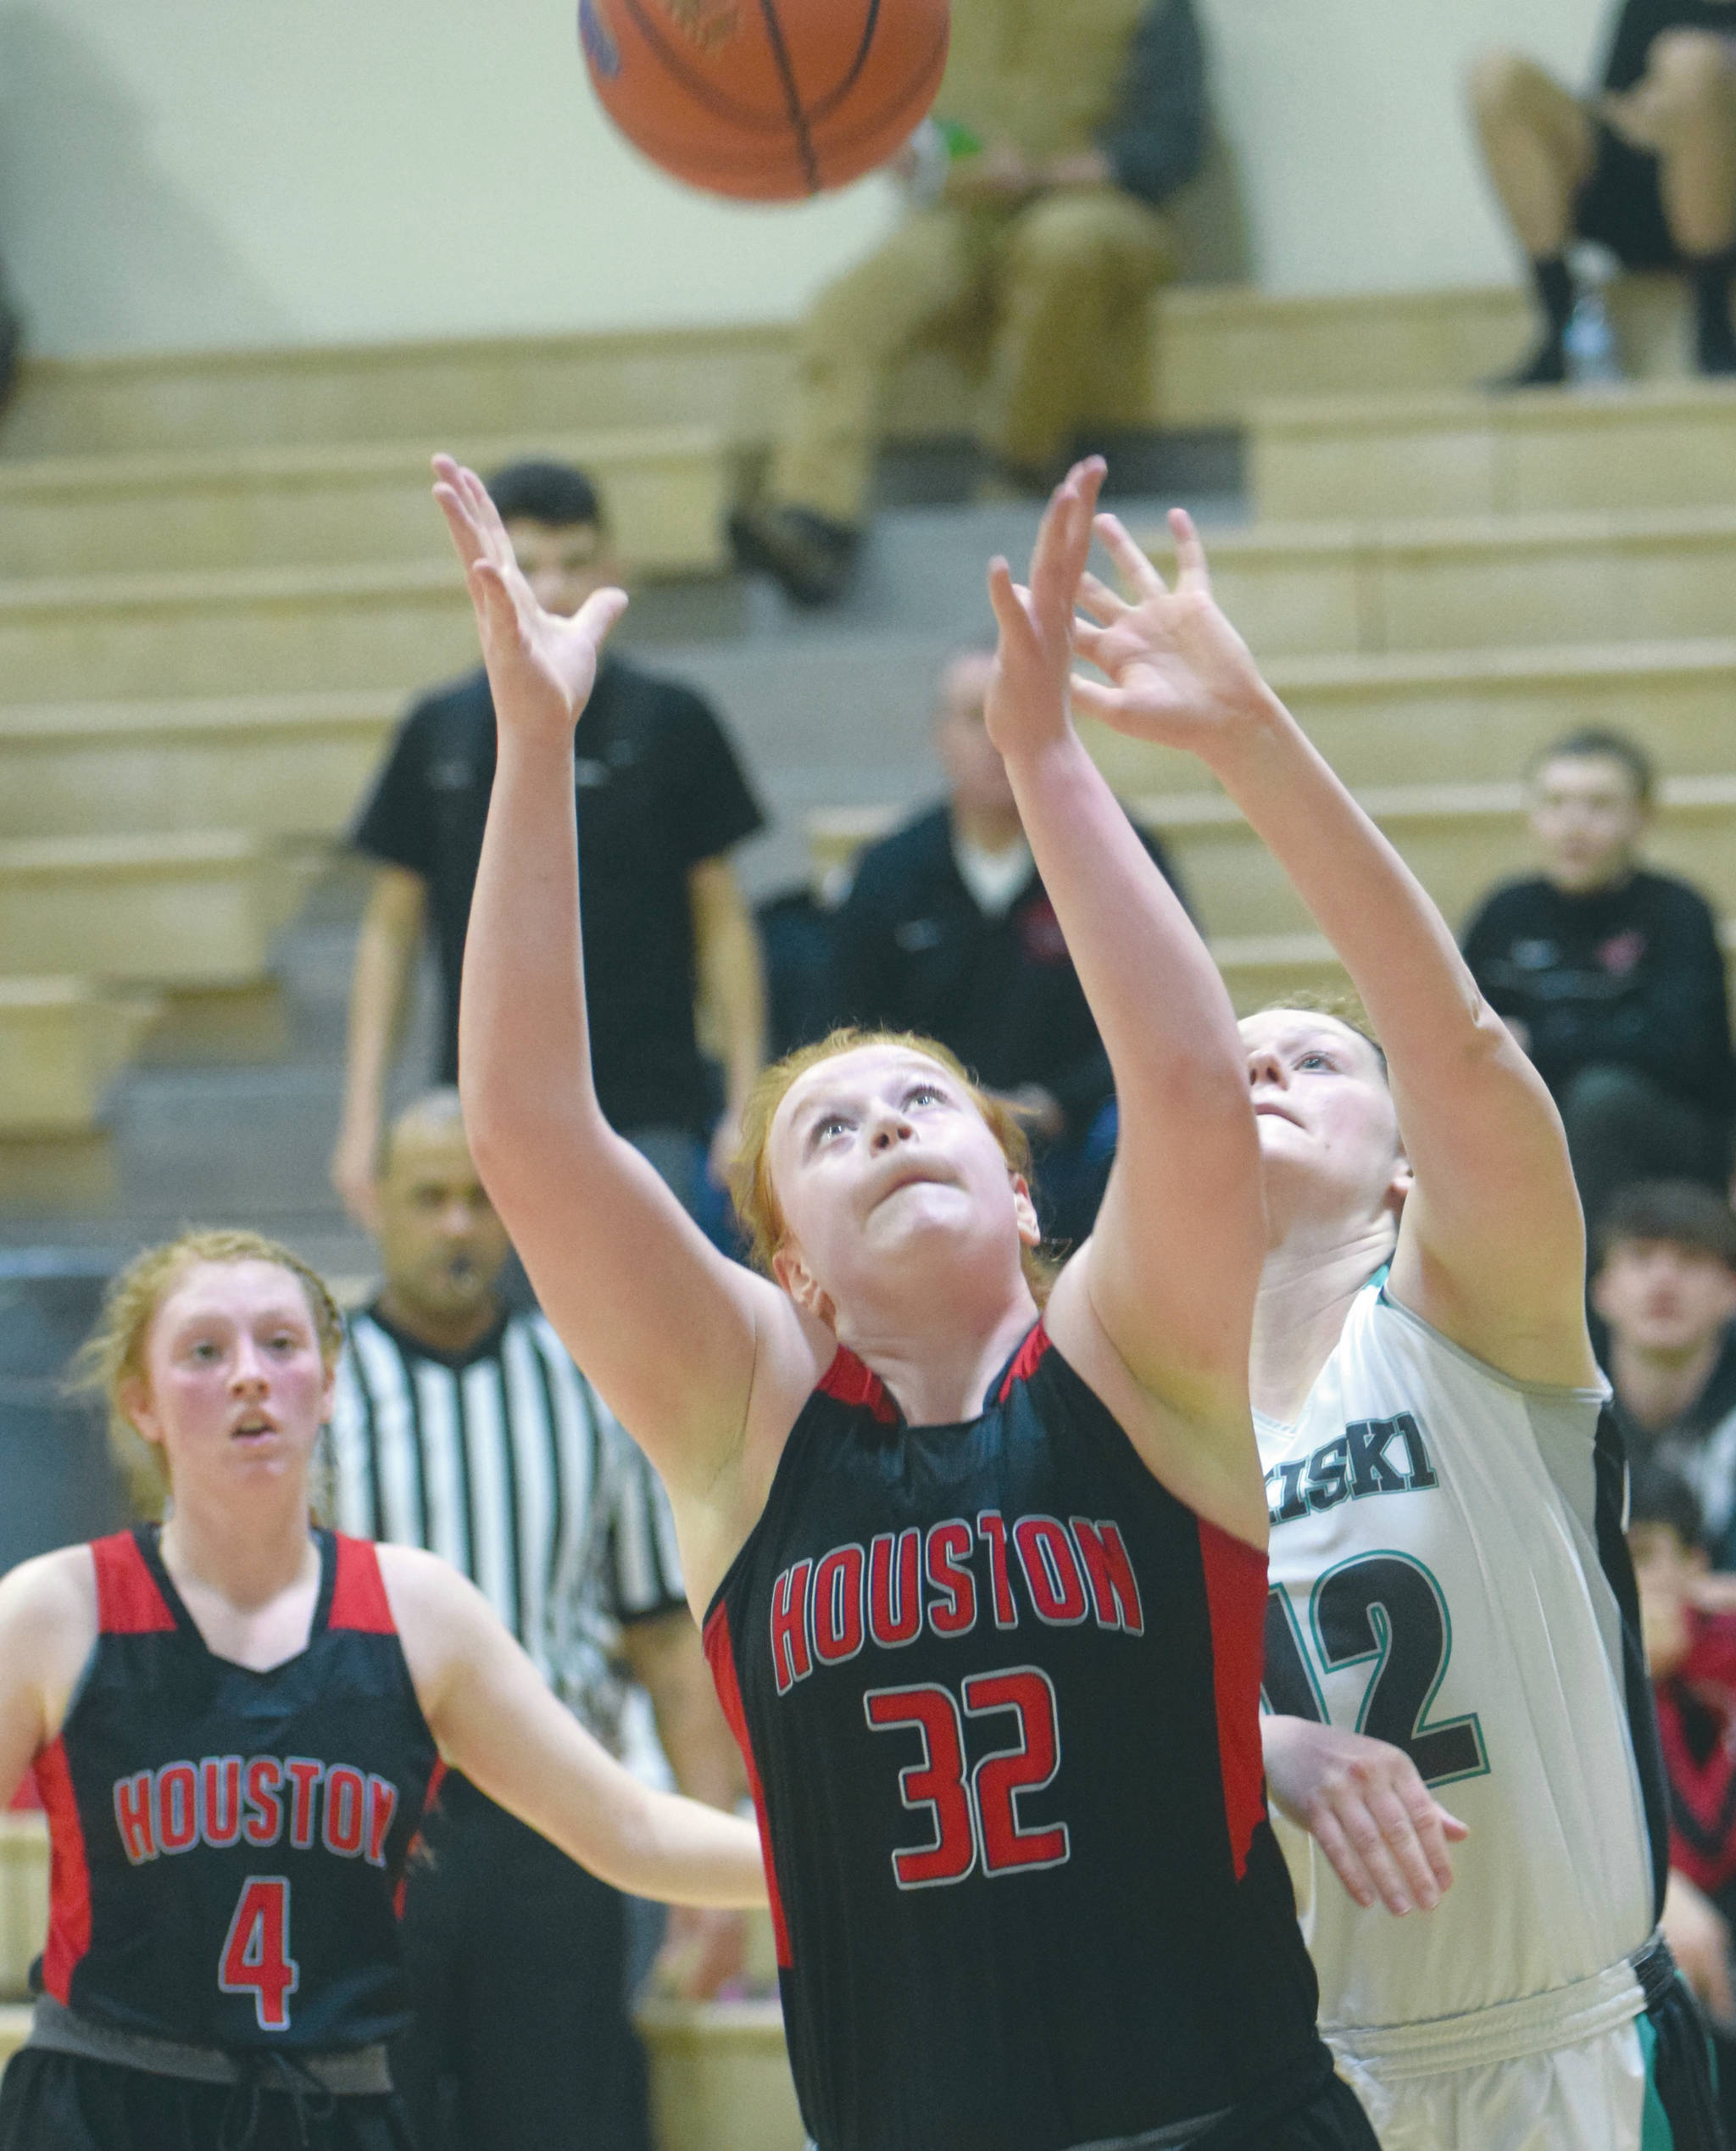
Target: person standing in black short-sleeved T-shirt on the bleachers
(661,803)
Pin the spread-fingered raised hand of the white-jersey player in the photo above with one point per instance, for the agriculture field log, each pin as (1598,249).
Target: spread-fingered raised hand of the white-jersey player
(1178,672)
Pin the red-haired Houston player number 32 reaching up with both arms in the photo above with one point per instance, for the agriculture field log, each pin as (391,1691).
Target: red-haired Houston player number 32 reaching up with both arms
(982,1582)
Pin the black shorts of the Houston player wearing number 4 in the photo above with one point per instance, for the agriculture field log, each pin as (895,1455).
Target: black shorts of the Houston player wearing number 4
(63,2103)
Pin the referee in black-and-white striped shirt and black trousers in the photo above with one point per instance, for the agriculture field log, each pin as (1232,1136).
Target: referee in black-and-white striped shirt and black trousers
(468,1429)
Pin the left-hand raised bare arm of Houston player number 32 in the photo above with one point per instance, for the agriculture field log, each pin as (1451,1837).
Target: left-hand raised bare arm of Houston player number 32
(677,1339)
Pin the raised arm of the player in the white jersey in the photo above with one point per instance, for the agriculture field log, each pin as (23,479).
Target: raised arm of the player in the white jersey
(1492,1249)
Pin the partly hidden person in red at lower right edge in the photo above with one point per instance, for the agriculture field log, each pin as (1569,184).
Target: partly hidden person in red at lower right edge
(1692,1657)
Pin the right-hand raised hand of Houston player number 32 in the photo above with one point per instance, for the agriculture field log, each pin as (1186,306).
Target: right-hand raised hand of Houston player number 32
(1027,702)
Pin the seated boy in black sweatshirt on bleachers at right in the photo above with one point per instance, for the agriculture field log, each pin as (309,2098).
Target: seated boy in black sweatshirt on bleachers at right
(1612,980)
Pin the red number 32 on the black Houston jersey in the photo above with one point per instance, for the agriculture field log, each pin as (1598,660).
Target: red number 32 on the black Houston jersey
(973,1812)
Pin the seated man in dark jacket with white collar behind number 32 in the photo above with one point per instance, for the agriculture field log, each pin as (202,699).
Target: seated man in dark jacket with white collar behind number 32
(948,932)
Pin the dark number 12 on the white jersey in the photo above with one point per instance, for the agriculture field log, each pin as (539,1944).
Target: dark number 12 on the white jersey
(1386,1608)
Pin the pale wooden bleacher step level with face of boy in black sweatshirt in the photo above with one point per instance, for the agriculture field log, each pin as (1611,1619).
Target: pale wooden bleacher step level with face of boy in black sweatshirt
(1460,840)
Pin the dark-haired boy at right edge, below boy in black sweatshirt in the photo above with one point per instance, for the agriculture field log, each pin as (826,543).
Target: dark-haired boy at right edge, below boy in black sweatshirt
(1666,1294)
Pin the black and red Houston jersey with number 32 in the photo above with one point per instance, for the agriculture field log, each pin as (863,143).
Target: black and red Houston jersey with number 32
(999,1703)
